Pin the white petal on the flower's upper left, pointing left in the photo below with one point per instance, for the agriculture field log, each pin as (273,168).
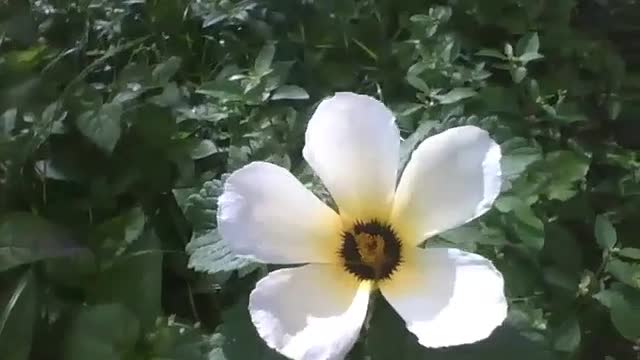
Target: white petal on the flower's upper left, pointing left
(265,213)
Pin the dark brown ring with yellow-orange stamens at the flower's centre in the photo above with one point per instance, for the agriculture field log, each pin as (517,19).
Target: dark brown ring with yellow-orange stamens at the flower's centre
(371,250)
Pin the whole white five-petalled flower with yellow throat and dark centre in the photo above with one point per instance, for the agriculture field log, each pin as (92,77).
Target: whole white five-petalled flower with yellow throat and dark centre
(315,311)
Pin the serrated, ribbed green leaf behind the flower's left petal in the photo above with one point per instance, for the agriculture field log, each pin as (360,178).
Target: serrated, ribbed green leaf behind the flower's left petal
(207,250)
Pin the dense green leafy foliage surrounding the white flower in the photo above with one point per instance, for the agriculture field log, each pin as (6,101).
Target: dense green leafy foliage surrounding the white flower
(119,120)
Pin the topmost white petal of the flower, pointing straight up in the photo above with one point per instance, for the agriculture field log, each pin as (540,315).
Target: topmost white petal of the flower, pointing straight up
(353,144)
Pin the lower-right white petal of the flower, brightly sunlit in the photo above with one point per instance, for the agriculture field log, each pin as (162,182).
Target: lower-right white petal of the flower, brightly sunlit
(448,297)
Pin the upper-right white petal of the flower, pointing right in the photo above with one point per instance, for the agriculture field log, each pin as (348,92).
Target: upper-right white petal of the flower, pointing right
(451,178)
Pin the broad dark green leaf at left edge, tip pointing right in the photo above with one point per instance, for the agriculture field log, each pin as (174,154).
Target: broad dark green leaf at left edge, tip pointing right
(26,238)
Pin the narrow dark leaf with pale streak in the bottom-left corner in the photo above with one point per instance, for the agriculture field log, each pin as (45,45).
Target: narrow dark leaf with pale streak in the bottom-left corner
(19,314)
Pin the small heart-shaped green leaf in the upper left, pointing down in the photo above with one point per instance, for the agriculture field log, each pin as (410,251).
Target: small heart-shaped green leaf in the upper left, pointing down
(102,126)
